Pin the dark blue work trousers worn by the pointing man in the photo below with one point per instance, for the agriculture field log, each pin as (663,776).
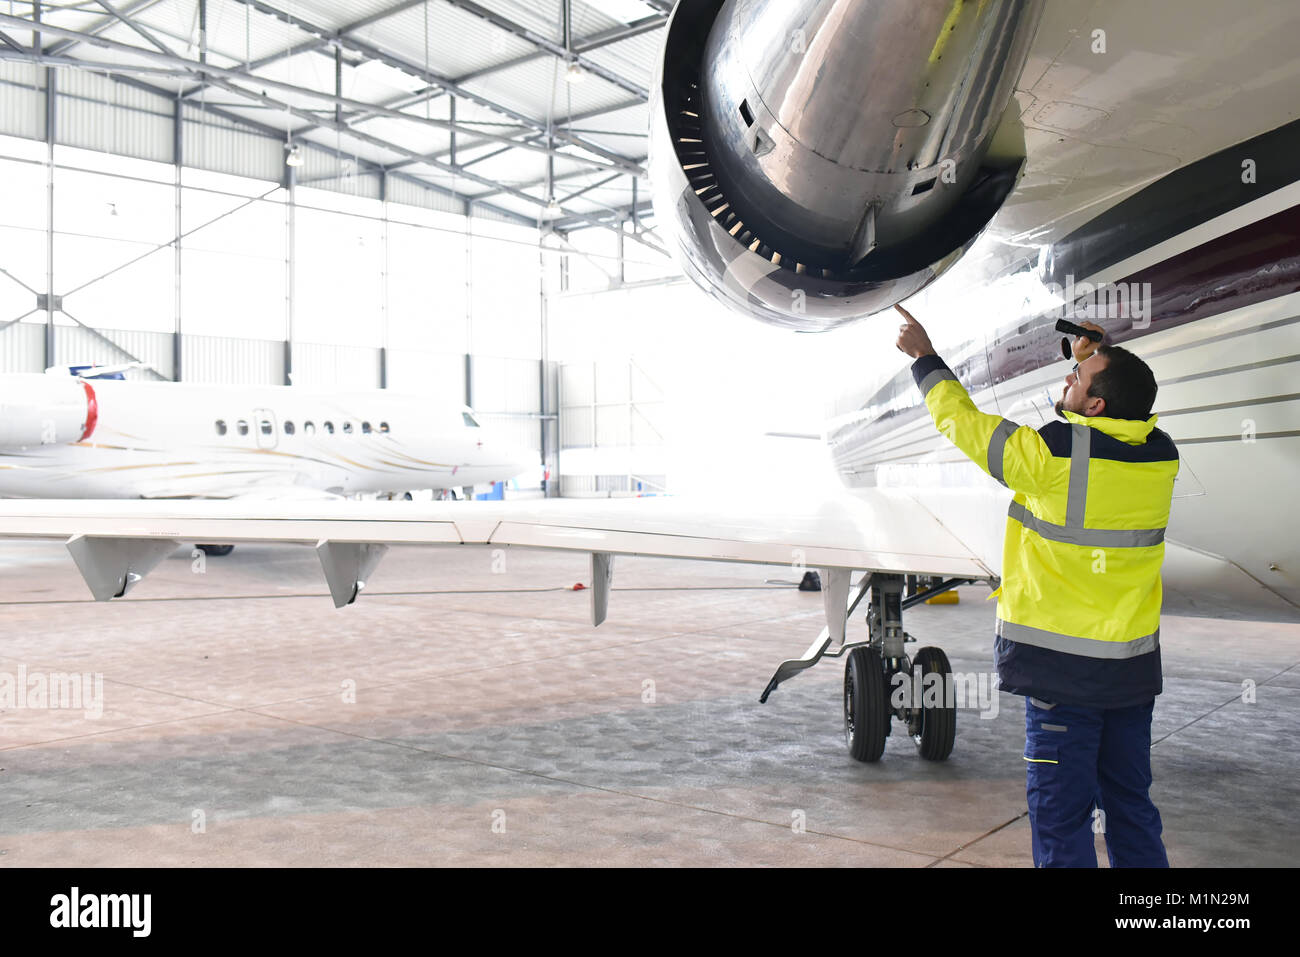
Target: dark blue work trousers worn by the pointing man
(1089,772)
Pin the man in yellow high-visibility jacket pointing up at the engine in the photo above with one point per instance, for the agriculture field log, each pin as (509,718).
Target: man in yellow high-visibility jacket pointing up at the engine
(1078,617)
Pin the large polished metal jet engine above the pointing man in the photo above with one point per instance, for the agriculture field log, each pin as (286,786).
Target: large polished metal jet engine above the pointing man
(820,162)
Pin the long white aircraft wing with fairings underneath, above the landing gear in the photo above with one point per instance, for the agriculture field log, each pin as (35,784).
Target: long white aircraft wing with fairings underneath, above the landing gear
(116,543)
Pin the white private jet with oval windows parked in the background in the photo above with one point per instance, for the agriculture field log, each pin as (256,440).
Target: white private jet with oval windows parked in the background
(68,436)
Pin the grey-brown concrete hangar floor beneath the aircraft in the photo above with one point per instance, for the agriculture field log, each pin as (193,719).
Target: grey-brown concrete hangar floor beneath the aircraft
(493,726)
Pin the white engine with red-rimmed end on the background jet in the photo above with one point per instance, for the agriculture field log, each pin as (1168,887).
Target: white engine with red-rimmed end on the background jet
(45,410)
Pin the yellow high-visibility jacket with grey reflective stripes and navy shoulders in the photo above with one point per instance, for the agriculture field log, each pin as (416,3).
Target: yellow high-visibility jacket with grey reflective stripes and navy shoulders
(1078,617)
